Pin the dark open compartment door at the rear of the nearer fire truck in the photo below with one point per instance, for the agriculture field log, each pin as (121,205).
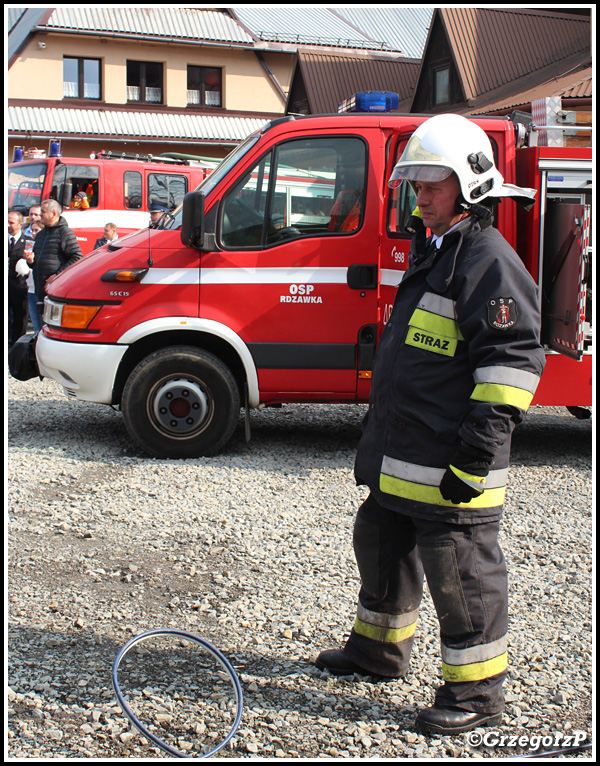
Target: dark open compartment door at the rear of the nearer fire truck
(566,295)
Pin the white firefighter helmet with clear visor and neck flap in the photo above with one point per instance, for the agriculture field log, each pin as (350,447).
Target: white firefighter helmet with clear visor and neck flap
(450,143)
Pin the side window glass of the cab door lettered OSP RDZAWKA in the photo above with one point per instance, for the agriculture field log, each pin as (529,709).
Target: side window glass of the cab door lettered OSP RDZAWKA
(304,187)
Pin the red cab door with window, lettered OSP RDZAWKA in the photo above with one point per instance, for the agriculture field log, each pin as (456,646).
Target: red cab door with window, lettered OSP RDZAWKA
(296,277)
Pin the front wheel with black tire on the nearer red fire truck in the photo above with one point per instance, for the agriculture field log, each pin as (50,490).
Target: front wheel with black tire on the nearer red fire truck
(181,402)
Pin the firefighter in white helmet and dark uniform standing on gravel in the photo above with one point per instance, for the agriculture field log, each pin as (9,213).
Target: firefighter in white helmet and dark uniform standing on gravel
(456,369)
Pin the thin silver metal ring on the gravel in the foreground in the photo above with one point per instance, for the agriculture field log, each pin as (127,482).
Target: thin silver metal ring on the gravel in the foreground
(215,653)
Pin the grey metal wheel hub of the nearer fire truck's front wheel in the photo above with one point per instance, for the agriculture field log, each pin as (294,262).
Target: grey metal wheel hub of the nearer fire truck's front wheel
(180,406)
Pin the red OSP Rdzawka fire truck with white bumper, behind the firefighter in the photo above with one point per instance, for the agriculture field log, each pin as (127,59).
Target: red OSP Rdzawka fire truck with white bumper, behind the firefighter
(272,282)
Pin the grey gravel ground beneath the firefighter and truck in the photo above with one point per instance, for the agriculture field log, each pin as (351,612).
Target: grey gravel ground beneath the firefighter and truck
(251,550)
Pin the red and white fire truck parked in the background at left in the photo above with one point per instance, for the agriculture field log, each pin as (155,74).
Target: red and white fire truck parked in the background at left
(119,187)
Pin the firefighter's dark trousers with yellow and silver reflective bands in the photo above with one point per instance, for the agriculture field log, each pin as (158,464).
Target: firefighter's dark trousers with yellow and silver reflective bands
(466,575)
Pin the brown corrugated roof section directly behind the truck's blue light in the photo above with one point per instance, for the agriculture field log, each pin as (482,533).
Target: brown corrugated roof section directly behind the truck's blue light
(328,79)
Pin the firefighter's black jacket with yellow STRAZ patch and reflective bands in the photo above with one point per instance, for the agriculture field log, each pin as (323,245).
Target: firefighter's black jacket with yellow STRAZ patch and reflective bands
(459,360)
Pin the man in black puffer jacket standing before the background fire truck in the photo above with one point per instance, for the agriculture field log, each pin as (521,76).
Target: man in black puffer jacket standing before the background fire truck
(55,248)
